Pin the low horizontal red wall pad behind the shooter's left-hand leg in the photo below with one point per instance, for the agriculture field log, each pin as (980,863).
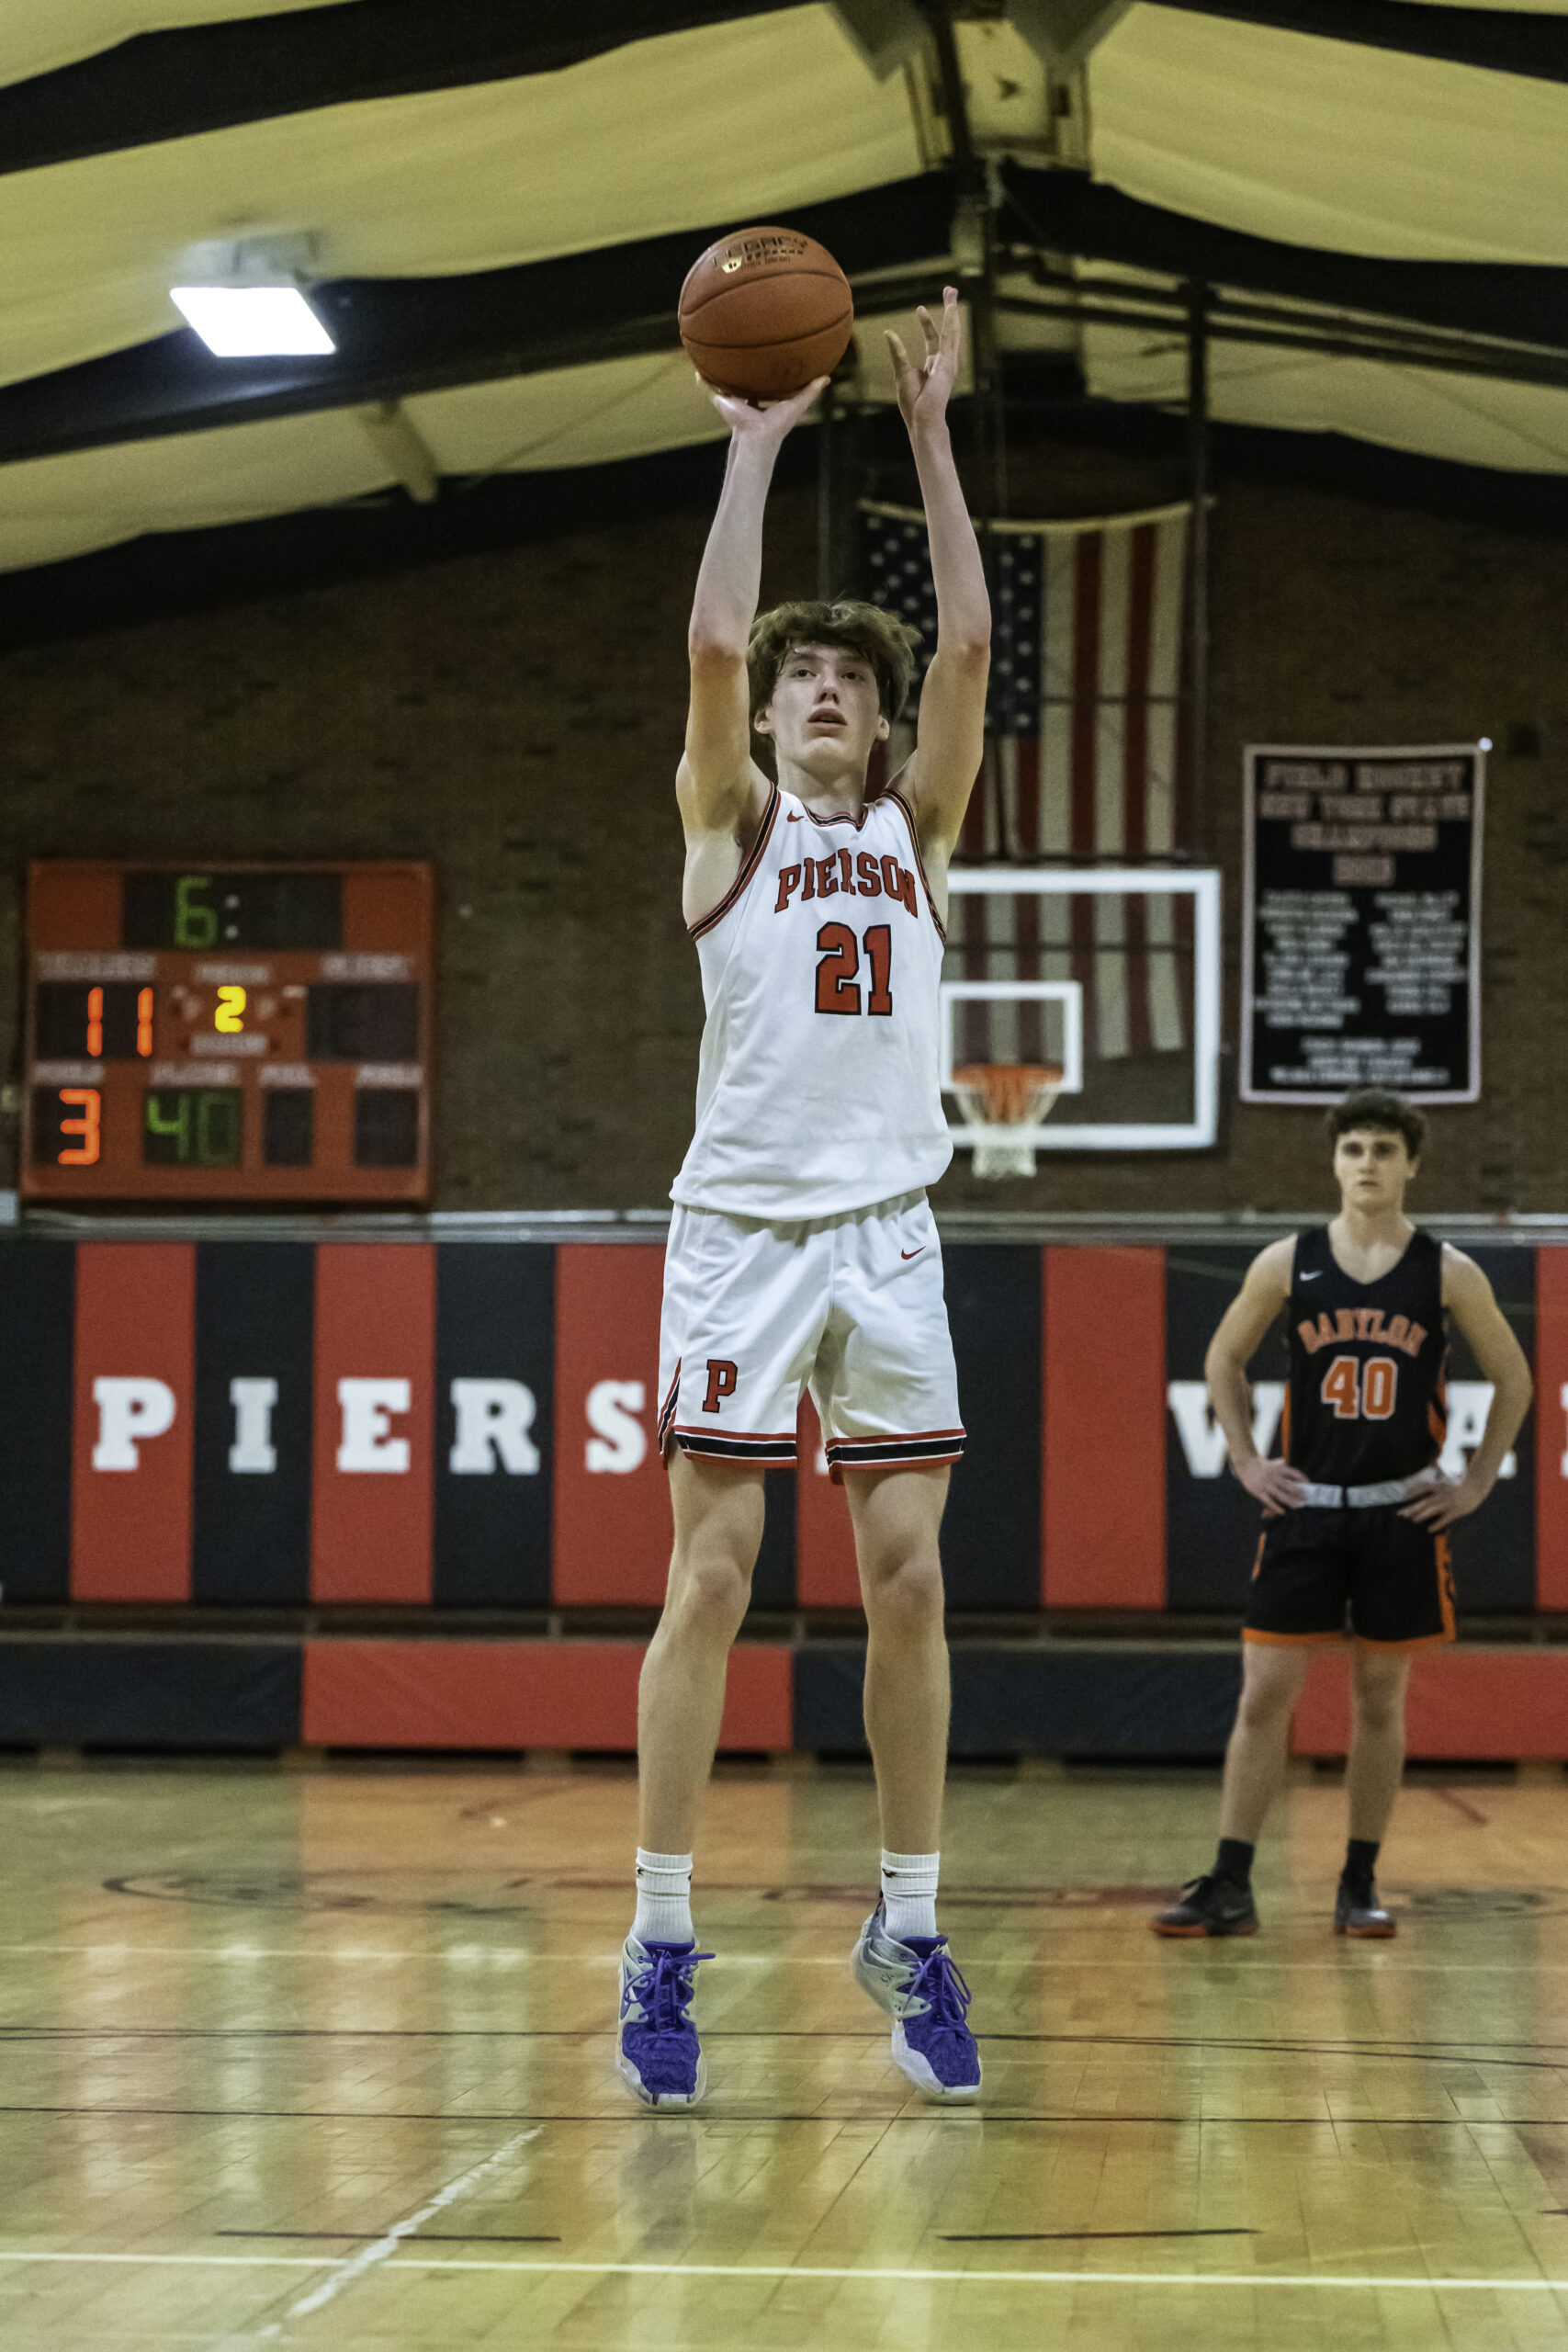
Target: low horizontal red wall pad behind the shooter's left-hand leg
(518,1695)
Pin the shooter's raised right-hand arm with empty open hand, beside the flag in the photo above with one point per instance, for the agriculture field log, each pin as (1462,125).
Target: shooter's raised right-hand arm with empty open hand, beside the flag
(951,740)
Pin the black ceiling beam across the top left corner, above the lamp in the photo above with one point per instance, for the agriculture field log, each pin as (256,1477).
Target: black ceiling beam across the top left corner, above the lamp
(206,79)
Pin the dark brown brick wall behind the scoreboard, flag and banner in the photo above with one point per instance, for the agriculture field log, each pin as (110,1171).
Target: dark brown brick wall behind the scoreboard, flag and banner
(518,719)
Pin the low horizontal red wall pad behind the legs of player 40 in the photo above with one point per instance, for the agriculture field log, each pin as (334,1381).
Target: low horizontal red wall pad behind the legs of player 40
(1477,1704)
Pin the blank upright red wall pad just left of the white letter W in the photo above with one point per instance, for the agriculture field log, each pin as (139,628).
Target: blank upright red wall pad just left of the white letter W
(1104,1445)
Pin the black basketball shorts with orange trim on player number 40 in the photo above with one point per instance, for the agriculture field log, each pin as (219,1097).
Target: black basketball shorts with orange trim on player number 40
(1365,1572)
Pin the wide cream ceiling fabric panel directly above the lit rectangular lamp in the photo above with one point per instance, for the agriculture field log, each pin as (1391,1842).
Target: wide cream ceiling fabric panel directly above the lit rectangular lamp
(455,180)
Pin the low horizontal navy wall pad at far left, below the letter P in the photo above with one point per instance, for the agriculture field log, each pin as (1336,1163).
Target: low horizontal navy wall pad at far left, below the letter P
(152,1695)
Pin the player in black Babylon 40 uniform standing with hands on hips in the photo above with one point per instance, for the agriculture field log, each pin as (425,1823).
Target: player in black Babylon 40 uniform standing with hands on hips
(1358,1509)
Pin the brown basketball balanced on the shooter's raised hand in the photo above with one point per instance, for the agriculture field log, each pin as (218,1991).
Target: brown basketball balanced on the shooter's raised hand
(765,312)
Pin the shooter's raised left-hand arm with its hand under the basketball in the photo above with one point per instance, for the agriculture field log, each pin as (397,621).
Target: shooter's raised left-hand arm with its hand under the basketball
(721,789)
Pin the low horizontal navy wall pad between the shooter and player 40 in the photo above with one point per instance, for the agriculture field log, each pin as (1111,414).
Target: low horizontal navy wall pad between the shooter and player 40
(1024,1699)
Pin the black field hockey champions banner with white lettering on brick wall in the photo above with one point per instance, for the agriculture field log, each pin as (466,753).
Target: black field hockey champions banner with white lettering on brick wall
(1362,928)
